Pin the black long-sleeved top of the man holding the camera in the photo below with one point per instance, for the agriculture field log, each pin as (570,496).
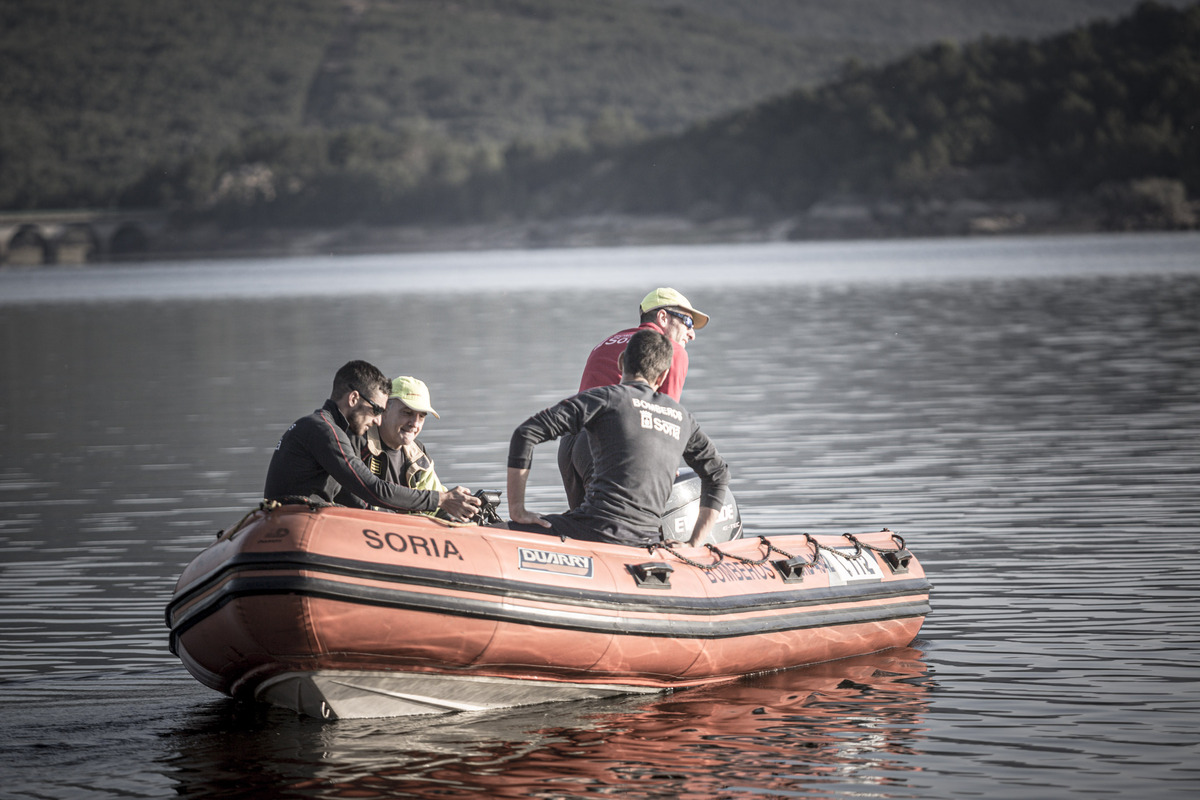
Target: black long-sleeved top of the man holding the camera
(316,459)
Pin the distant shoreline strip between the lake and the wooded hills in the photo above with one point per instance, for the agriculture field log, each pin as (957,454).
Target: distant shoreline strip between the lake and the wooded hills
(831,221)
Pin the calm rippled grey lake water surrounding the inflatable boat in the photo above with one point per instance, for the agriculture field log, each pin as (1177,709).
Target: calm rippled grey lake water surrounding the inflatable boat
(1025,412)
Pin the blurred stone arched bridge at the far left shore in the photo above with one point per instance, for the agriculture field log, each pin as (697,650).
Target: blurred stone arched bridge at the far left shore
(77,237)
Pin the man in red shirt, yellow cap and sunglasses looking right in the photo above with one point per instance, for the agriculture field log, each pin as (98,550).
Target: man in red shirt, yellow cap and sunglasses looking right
(665,311)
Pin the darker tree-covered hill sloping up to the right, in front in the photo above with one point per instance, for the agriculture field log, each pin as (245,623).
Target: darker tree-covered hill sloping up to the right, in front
(1108,115)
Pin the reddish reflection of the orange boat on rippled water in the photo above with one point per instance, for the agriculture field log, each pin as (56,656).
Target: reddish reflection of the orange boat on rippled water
(783,733)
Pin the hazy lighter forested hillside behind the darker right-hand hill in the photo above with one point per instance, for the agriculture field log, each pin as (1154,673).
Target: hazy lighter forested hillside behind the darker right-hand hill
(303,110)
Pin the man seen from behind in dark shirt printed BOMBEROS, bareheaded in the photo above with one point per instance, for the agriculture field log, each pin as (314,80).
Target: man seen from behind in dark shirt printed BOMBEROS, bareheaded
(638,436)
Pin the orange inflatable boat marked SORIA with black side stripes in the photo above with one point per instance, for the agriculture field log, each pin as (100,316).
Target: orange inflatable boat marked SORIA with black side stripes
(345,613)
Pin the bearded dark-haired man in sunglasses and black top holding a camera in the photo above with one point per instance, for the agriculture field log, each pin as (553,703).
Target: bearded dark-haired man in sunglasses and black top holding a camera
(315,458)
